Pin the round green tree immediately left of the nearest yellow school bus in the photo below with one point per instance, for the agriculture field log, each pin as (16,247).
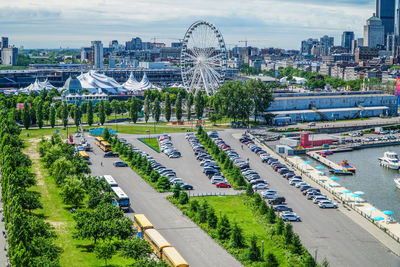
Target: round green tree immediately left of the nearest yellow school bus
(136,248)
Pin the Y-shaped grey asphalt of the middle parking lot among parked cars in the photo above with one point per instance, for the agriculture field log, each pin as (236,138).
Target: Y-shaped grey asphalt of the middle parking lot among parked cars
(186,167)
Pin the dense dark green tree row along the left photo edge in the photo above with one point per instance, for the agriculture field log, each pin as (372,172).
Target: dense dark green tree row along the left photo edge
(30,238)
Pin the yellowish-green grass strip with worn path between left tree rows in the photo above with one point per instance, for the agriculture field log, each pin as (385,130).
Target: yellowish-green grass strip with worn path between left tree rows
(75,252)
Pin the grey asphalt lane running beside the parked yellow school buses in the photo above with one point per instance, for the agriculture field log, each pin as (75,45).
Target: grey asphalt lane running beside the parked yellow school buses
(195,245)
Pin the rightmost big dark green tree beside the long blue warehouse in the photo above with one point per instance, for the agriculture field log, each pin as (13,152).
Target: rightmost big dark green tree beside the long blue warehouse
(261,96)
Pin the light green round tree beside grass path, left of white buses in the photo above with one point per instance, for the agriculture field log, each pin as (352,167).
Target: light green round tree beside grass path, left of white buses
(73,191)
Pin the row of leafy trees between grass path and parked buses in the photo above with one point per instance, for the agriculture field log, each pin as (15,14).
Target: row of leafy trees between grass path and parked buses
(98,219)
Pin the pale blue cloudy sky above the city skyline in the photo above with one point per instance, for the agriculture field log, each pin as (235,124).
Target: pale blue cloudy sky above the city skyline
(264,23)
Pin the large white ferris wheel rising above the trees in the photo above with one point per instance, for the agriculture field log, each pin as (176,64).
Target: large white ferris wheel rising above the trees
(203,58)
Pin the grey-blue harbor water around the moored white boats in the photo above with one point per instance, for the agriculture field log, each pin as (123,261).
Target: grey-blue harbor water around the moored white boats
(372,179)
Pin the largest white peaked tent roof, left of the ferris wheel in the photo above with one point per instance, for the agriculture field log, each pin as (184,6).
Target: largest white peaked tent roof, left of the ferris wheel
(93,81)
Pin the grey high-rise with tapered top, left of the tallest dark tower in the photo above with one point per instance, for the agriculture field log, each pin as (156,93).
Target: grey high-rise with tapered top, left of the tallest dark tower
(374,32)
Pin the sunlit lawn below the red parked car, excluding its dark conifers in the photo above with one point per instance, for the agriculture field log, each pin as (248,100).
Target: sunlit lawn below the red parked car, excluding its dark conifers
(238,209)
